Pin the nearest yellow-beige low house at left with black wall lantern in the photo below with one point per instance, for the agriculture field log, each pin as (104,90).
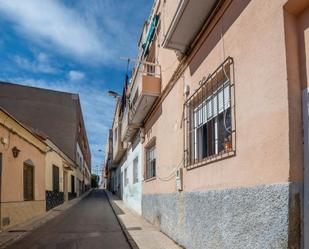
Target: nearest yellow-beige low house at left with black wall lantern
(22,172)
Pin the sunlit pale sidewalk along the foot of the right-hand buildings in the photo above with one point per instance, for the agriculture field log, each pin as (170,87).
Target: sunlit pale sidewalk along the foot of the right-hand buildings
(140,233)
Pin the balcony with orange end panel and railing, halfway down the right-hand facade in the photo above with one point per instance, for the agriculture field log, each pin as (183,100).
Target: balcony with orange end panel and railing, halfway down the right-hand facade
(145,89)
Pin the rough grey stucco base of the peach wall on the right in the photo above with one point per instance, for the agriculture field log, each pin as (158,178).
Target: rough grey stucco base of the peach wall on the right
(265,216)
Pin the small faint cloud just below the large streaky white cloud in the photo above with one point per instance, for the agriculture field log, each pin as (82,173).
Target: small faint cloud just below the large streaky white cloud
(41,64)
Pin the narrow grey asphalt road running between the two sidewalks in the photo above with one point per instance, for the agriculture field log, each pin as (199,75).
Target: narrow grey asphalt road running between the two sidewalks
(90,224)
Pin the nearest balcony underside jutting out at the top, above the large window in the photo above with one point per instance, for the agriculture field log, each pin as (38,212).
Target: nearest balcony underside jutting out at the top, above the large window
(183,28)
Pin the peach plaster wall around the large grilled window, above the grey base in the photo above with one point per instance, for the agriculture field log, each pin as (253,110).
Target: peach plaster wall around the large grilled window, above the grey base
(254,36)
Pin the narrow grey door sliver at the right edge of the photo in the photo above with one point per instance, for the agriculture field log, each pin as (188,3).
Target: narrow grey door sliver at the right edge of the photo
(306,167)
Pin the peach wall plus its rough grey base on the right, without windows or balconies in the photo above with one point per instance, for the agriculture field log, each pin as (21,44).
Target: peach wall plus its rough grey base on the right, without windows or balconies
(238,199)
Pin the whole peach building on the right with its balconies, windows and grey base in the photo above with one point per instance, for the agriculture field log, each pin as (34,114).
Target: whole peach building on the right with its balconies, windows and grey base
(217,98)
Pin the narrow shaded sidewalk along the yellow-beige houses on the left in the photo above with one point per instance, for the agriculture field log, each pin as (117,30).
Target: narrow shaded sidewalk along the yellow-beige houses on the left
(17,232)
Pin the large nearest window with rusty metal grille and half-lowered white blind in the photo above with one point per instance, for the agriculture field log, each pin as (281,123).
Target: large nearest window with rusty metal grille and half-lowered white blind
(208,118)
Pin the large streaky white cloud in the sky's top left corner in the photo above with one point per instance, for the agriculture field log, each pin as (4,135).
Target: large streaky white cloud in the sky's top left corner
(52,23)
